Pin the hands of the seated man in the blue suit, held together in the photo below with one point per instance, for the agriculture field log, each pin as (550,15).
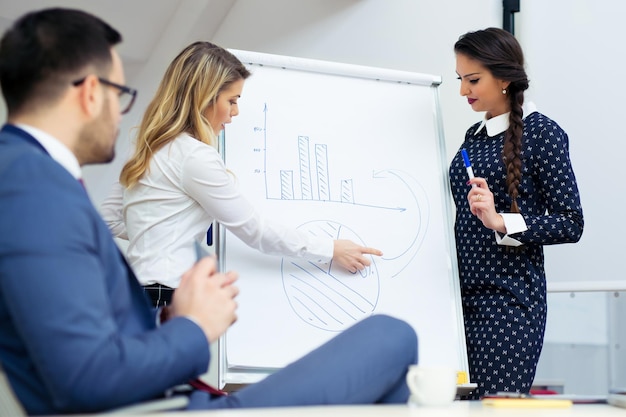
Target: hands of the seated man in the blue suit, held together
(207,297)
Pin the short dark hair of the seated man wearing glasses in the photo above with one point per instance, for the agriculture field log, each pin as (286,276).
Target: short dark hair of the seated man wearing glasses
(44,51)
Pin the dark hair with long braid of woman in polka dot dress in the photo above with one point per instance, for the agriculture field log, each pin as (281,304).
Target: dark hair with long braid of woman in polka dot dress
(502,55)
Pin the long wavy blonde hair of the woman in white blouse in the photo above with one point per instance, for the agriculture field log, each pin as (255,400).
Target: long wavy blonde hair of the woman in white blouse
(192,83)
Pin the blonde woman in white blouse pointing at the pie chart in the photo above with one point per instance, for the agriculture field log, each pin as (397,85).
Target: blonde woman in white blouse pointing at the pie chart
(175,184)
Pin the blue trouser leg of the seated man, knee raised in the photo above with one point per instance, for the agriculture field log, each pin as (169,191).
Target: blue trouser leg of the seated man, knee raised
(365,364)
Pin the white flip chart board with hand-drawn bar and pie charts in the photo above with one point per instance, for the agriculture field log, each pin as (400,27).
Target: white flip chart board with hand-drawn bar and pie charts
(349,152)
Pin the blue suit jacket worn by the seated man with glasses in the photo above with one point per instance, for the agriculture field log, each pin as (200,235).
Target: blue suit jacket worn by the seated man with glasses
(77,334)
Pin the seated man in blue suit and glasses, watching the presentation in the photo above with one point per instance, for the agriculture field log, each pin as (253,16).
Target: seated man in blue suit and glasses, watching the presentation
(77,333)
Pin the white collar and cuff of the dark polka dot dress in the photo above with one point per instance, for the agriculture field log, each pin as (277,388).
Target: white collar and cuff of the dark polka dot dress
(513,222)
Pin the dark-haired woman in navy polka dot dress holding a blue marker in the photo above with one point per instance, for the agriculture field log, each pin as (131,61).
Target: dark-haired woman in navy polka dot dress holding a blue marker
(524,196)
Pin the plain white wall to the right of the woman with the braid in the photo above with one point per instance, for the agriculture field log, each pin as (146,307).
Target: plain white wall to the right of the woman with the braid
(576,60)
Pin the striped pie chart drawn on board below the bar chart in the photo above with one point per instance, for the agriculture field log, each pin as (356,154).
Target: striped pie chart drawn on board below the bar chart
(327,296)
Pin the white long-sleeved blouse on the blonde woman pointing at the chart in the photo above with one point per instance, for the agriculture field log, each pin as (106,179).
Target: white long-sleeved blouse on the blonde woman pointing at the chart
(187,188)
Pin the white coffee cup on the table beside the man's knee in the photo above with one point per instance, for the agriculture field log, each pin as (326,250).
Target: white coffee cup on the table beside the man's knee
(431,385)
